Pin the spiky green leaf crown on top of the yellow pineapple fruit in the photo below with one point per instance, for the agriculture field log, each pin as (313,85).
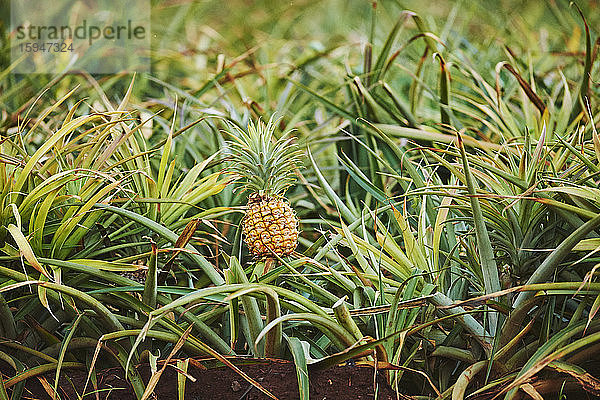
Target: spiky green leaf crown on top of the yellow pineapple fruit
(265,164)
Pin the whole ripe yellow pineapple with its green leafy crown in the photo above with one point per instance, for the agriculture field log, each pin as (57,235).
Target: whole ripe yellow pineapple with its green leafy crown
(266,169)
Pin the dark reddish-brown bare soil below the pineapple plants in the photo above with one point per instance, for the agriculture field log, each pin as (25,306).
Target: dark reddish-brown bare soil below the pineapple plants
(279,377)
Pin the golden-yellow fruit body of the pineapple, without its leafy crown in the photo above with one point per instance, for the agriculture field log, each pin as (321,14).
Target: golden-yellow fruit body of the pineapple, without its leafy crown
(270,226)
